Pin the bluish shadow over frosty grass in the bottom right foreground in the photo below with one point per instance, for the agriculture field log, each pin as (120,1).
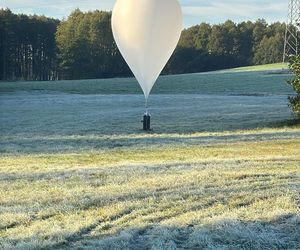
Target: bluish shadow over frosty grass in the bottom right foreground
(281,233)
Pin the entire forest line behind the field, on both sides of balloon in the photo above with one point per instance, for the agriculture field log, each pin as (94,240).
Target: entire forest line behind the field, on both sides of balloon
(82,46)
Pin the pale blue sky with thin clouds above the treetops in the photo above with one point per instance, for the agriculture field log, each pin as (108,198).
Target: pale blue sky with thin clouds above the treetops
(195,11)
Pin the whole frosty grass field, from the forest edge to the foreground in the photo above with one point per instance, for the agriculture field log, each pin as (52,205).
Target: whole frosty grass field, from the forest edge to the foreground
(220,170)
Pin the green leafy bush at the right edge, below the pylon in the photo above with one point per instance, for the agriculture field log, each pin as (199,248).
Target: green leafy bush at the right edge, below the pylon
(295,83)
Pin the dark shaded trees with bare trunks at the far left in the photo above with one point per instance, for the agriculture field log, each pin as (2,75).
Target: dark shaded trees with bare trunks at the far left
(27,47)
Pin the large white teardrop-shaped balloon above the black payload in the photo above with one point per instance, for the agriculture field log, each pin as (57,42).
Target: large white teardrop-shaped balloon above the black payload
(146,33)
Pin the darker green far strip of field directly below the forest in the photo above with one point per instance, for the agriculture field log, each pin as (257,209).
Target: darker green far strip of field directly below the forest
(246,81)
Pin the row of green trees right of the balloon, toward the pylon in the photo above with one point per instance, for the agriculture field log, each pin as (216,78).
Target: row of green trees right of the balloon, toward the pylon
(208,47)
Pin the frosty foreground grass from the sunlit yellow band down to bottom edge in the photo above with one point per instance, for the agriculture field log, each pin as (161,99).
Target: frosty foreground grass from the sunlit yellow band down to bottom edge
(236,193)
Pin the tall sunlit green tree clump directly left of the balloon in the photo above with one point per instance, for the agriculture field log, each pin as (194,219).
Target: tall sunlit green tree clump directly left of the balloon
(86,48)
